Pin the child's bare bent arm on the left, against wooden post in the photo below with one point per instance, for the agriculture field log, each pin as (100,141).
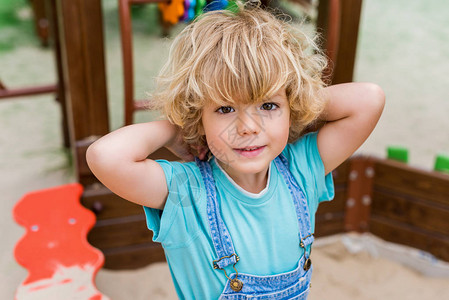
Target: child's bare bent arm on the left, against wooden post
(119,161)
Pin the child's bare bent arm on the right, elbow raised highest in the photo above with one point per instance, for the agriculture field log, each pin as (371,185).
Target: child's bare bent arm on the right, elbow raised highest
(351,113)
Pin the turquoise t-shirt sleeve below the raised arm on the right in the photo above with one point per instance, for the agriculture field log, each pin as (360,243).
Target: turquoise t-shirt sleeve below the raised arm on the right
(305,161)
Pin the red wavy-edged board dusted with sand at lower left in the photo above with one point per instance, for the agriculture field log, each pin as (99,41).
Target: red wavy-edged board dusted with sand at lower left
(54,248)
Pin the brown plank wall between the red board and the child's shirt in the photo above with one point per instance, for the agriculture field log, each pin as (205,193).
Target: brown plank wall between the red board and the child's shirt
(121,232)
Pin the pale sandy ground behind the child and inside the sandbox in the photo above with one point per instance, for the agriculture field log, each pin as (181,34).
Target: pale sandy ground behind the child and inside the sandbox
(403,47)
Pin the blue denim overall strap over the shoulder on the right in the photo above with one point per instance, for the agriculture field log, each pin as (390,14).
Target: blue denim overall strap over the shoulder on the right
(300,202)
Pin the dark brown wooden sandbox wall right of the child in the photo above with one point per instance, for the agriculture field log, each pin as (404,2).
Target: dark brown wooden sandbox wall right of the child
(393,201)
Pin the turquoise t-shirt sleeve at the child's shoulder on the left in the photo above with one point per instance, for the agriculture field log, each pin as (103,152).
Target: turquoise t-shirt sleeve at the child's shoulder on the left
(176,224)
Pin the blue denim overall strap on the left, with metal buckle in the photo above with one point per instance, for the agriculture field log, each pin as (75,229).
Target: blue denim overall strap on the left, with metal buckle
(224,248)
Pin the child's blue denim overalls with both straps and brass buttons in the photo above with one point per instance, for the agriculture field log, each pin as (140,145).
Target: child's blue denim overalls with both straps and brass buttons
(291,285)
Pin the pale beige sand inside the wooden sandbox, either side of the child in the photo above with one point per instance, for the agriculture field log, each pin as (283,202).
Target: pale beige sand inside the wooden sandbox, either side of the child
(339,274)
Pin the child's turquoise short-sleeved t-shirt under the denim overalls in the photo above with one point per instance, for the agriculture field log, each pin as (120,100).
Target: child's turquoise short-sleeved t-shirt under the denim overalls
(263,227)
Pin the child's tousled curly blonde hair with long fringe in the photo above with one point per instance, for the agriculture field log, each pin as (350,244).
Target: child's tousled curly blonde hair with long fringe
(247,55)
